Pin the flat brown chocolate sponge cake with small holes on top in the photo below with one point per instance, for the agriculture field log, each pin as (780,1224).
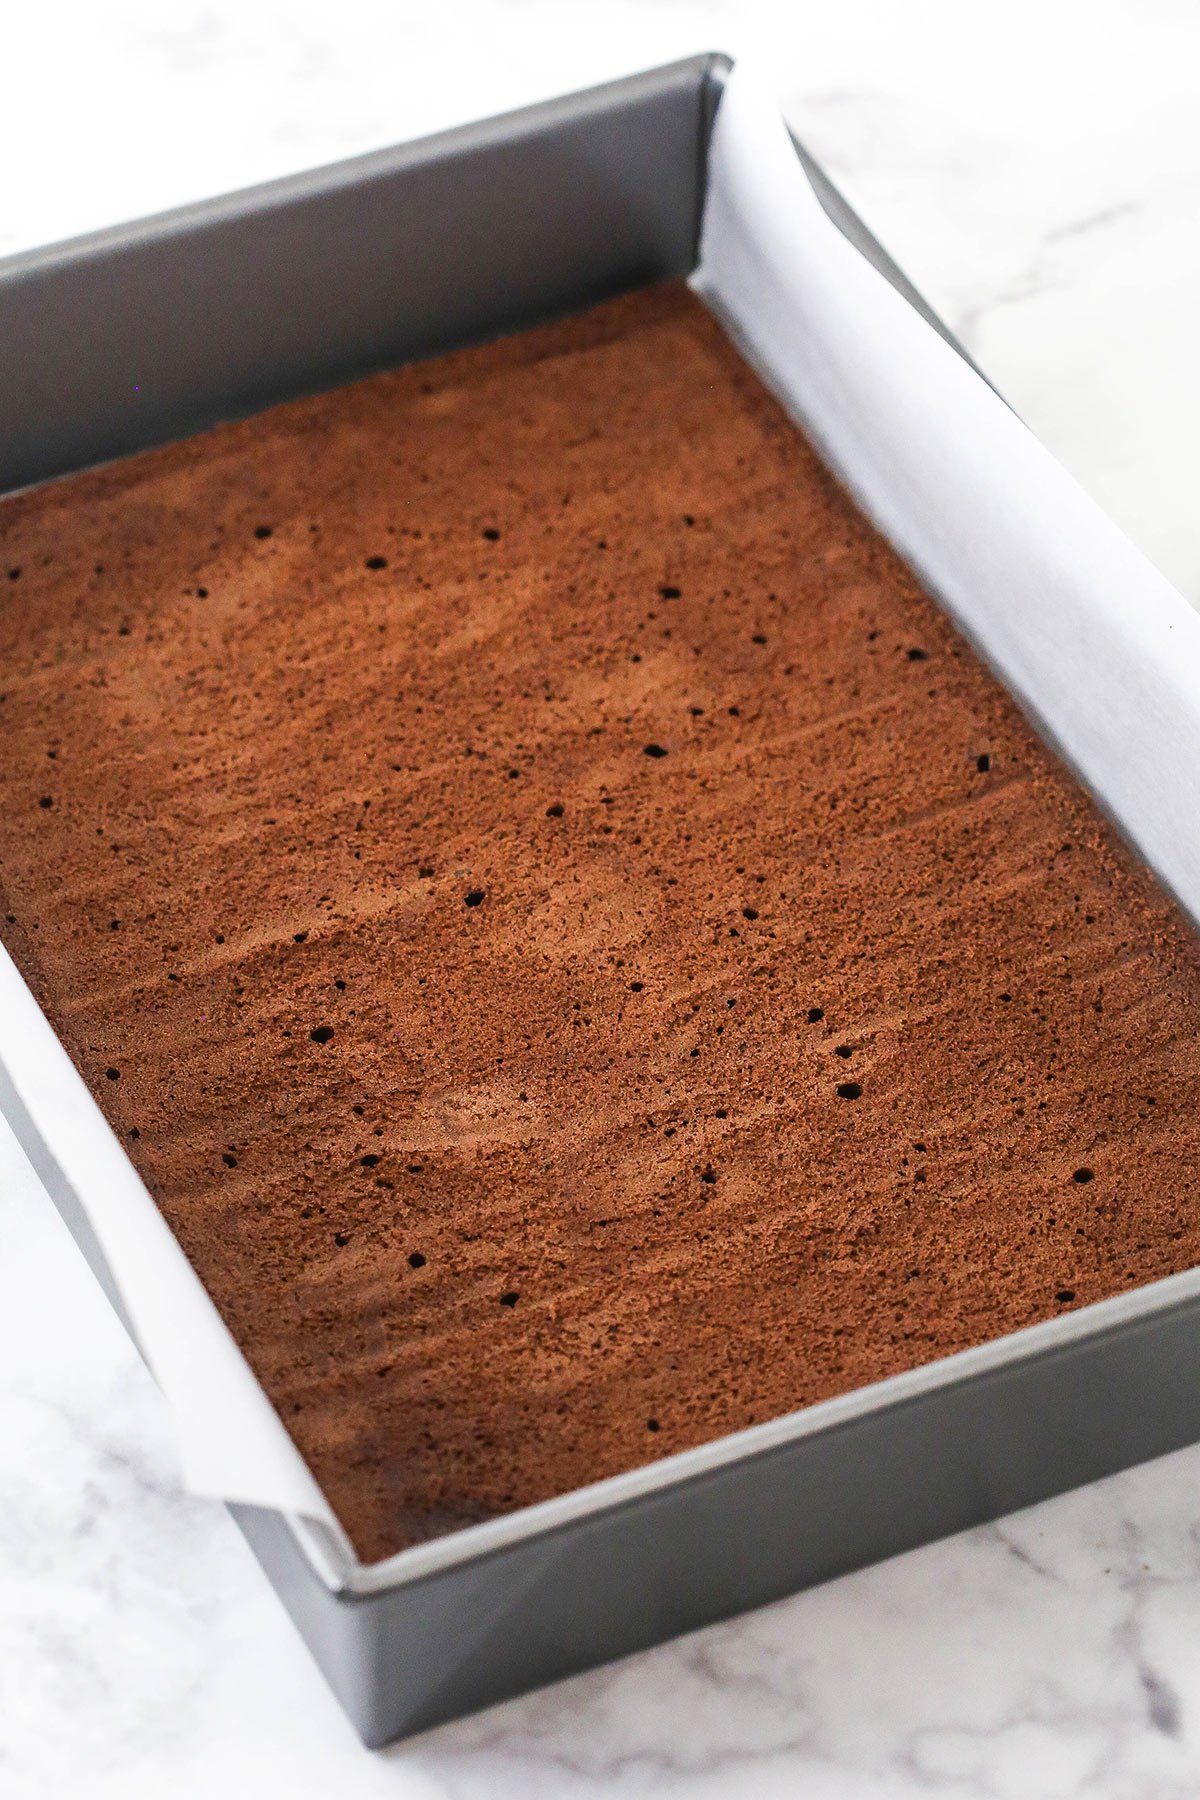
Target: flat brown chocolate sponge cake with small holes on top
(575,942)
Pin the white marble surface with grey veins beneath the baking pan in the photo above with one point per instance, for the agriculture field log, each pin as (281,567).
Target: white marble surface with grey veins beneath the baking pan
(1037,170)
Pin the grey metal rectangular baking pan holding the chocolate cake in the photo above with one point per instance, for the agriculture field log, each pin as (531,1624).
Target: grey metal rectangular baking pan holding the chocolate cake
(157,330)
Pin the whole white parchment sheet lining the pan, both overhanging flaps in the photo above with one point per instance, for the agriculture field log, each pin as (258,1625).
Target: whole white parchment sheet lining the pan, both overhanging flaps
(1075,620)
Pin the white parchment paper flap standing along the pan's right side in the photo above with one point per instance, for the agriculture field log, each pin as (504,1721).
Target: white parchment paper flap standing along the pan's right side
(1073,618)
